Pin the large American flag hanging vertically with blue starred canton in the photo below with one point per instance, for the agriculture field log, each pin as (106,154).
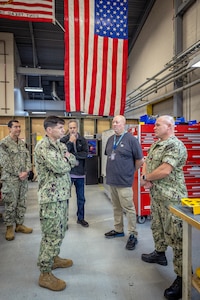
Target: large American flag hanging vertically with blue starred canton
(96,53)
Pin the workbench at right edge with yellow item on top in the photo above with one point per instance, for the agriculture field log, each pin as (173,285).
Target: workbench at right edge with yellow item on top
(189,220)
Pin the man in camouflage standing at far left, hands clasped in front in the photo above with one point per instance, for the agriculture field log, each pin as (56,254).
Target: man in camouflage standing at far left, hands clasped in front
(15,165)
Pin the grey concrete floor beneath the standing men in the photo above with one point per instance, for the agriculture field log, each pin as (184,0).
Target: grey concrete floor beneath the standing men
(103,269)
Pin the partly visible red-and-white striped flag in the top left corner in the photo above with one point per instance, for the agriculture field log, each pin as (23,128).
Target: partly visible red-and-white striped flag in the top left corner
(28,10)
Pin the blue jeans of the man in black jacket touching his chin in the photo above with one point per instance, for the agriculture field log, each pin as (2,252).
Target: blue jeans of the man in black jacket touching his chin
(79,184)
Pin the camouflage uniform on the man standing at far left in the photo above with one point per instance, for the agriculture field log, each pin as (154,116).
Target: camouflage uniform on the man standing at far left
(14,158)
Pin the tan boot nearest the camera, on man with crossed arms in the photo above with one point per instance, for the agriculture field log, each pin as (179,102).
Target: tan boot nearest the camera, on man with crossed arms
(49,281)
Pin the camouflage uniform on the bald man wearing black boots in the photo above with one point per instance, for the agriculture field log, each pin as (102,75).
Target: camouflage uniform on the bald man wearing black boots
(166,227)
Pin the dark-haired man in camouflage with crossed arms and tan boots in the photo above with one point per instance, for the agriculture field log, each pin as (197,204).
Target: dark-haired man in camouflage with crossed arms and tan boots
(53,163)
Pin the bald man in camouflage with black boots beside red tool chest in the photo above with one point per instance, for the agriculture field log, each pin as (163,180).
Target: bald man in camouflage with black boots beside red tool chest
(163,174)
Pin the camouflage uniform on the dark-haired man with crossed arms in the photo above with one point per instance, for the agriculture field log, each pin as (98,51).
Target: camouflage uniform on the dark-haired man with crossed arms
(54,185)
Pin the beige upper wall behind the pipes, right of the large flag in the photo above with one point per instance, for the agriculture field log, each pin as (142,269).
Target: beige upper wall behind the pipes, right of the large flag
(153,51)
